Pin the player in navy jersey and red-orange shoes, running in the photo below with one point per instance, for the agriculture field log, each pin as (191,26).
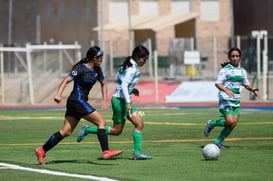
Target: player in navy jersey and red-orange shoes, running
(85,74)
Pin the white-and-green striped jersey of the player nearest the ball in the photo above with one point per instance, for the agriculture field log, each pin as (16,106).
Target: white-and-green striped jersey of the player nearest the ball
(231,78)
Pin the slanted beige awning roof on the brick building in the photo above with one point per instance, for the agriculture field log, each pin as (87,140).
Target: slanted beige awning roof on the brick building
(154,23)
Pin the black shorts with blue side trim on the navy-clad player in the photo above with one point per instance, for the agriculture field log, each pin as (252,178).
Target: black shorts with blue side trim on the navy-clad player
(78,108)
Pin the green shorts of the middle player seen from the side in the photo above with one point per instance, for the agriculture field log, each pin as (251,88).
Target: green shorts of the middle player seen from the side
(120,110)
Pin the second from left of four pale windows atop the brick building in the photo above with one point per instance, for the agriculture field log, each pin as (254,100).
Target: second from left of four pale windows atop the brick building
(148,7)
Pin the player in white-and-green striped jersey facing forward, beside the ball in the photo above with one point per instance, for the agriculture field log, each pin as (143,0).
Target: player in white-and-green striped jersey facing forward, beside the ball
(230,78)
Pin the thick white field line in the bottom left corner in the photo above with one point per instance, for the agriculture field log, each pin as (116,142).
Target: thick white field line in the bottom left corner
(43,171)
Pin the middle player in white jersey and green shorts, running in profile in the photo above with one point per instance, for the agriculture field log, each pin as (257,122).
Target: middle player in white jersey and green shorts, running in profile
(126,78)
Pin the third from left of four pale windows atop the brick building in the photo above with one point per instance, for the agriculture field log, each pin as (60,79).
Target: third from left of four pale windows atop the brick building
(181,6)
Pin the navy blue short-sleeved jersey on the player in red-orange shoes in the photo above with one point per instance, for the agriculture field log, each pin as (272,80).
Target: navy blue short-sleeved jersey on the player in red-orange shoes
(84,78)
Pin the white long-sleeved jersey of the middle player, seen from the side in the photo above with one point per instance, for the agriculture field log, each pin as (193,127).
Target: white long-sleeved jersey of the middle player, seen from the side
(126,80)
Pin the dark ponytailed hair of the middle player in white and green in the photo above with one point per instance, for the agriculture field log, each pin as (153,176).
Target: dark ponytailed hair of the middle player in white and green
(139,52)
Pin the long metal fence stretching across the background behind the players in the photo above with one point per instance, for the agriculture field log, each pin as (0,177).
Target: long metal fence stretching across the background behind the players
(28,73)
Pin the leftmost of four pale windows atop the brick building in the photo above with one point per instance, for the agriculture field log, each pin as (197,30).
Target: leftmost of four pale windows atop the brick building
(118,9)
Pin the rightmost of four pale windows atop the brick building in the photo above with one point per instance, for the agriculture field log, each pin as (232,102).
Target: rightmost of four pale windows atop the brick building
(210,10)
